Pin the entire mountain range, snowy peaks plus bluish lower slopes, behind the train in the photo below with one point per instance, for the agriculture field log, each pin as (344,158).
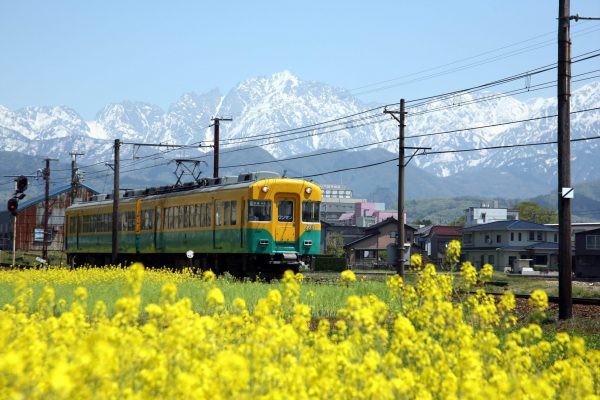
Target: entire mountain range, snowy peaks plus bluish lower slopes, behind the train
(270,108)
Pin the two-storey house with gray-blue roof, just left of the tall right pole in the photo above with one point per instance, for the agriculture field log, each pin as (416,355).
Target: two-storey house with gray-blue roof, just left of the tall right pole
(511,244)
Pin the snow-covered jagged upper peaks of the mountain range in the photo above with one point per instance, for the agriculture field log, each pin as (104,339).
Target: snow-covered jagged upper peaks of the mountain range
(278,103)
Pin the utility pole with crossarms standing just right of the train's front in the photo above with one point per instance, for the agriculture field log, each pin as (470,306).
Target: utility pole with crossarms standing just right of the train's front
(400,237)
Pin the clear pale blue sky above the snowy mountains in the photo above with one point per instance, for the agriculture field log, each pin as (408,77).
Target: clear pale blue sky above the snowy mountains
(85,54)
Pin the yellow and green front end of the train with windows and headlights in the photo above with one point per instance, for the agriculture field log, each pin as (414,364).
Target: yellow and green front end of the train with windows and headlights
(284,229)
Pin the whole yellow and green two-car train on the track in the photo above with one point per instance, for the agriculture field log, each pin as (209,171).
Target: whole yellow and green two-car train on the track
(256,222)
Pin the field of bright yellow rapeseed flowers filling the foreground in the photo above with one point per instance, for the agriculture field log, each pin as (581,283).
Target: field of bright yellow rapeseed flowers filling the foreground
(421,343)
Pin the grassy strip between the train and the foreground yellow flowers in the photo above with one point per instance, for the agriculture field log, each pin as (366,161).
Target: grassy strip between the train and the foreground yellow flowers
(324,297)
